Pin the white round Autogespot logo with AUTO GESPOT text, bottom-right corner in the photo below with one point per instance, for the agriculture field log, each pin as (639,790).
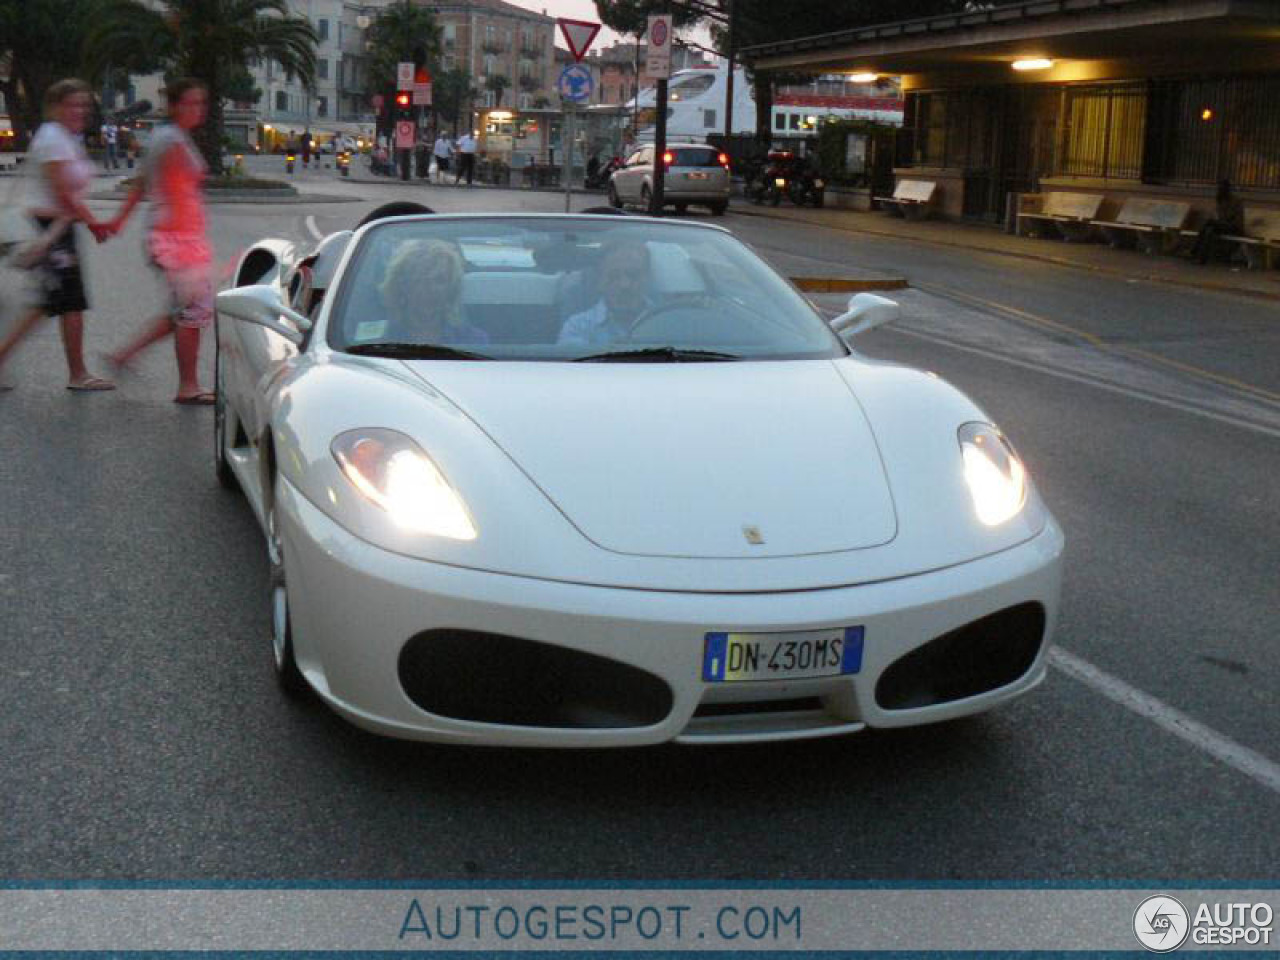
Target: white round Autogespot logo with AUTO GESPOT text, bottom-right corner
(1163,925)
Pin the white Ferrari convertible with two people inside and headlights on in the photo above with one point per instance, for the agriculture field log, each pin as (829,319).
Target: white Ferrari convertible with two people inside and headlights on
(586,481)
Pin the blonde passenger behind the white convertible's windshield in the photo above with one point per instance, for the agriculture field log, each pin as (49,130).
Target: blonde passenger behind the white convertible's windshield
(423,295)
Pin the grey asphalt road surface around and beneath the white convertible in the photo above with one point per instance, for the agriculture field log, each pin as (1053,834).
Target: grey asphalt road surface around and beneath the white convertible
(143,737)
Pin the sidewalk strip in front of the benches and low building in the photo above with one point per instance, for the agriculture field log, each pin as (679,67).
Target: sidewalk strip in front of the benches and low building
(1096,258)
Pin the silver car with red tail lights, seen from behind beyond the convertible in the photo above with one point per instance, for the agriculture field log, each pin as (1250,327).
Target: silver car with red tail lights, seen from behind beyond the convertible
(696,175)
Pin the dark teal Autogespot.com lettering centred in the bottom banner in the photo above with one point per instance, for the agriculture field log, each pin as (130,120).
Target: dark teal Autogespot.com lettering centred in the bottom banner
(668,925)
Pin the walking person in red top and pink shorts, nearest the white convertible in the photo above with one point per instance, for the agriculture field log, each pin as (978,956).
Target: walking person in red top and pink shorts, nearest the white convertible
(177,244)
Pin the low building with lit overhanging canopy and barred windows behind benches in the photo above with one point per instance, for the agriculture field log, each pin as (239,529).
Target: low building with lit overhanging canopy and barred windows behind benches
(1153,99)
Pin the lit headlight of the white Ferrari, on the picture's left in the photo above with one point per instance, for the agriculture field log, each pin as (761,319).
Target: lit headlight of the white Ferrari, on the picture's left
(396,474)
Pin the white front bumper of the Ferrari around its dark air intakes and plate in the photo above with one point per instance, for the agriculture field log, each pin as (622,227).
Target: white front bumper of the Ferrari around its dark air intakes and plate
(355,607)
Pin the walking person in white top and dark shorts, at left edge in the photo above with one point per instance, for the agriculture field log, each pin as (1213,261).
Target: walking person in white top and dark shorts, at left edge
(65,173)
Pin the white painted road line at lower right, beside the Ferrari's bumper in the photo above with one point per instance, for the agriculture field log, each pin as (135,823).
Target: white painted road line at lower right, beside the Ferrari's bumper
(1169,719)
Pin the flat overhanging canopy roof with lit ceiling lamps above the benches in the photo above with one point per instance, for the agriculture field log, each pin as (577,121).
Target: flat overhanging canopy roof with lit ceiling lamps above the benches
(1229,31)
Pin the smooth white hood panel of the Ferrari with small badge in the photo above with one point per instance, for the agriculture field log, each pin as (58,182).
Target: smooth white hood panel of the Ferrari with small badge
(749,460)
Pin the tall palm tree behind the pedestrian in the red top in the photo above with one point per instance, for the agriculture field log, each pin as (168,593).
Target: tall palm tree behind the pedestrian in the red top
(214,42)
